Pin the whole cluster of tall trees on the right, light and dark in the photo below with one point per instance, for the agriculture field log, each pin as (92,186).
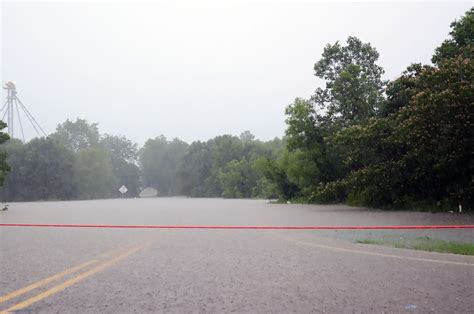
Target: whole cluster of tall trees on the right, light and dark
(404,144)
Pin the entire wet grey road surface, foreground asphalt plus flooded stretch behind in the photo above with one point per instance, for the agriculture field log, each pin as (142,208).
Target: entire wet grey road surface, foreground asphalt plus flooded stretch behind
(73,270)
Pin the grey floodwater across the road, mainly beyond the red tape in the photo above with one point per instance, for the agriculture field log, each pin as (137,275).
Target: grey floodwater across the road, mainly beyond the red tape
(234,212)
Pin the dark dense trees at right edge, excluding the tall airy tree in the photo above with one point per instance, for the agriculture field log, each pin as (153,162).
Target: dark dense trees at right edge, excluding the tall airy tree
(418,152)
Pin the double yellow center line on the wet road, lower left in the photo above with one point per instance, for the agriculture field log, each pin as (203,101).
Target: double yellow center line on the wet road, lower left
(73,280)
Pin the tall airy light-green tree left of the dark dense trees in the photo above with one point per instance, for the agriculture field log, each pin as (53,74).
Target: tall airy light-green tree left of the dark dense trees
(353,93)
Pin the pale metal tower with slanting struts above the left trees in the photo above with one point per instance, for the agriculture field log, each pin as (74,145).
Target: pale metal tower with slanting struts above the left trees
(12,107)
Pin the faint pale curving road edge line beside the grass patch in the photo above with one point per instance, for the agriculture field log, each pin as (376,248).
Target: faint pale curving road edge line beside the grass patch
(339,249)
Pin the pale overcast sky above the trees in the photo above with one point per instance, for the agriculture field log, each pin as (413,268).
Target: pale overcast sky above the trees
(198,70)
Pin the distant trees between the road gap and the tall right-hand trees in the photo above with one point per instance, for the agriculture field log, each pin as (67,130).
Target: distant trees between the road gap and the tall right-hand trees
(225,166)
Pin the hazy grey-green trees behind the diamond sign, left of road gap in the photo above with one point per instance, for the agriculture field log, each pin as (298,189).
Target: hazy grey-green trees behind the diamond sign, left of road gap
(74,163)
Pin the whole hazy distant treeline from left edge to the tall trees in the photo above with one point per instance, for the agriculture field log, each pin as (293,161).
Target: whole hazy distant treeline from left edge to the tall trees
(77,162)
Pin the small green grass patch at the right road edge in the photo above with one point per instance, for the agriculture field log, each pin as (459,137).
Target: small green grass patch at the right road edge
(425,244)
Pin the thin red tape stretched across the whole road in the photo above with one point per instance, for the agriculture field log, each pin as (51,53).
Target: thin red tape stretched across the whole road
(236,227)
